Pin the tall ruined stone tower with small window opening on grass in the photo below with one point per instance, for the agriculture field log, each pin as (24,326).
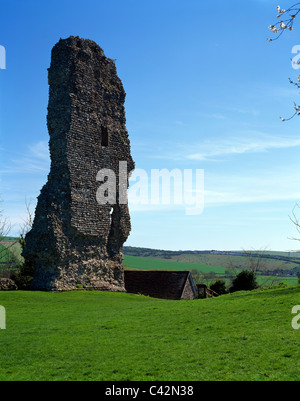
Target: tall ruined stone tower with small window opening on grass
(75,241)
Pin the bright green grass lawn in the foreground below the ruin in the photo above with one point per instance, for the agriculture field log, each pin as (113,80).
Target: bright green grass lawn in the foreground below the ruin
(90,335)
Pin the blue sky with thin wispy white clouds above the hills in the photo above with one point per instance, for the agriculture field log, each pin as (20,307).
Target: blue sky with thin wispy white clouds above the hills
(205,90)
